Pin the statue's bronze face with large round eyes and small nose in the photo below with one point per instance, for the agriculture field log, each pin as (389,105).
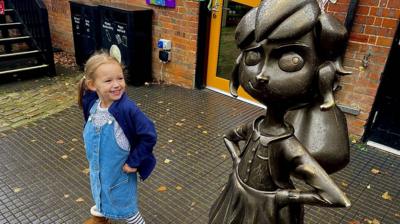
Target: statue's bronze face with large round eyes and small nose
(280,71)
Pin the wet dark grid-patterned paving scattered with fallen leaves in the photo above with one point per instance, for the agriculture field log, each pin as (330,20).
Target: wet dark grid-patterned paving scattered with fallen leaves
(44,175)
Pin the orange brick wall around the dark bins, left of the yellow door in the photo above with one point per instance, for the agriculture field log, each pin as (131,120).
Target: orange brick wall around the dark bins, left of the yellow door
(177,24)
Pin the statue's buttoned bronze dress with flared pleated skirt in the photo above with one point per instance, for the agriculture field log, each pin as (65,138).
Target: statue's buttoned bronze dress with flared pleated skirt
(241,201)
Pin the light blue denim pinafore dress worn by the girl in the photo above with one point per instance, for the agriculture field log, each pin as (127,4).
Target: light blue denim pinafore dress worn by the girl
(114,191)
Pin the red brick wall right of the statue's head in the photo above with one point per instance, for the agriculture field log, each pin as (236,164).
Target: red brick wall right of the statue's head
(373,32)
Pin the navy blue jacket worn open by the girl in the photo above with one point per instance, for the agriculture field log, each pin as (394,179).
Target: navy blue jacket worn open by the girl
(138,129)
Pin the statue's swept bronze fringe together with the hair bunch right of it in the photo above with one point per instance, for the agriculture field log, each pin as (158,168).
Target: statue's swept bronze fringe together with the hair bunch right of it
(287,19)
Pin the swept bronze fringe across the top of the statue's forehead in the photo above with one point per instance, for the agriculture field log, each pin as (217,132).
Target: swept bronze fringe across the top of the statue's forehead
(277,19)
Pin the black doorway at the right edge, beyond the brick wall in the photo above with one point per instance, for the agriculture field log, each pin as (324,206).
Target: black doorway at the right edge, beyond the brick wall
(384,120)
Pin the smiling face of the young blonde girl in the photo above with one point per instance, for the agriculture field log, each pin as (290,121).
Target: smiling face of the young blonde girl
(109,83)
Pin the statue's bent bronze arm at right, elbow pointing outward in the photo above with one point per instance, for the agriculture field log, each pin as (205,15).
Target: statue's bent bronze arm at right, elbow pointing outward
(306,168)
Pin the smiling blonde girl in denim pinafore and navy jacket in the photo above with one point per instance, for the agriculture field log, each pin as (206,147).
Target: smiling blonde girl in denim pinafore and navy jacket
(118,138)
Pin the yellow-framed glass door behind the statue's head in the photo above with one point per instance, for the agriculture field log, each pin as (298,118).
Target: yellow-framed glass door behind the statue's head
(223,52)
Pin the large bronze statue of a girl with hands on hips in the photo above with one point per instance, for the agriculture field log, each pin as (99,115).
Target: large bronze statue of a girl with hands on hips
(289,61)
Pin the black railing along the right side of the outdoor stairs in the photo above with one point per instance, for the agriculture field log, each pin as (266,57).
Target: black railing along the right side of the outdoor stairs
(33,13)
